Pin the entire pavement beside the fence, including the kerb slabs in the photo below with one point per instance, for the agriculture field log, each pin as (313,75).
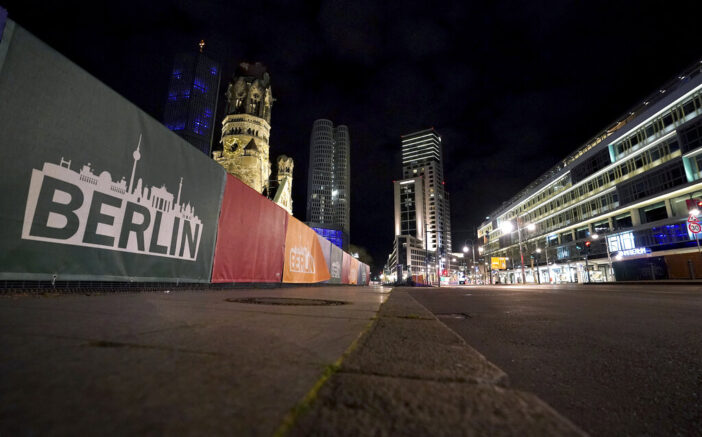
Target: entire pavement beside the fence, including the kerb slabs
(240,362)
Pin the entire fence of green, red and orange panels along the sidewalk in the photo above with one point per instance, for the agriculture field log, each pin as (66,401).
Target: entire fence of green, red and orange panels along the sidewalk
(94,189)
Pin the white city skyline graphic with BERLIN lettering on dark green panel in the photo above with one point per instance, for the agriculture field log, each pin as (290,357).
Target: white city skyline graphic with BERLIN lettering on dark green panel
(146,208)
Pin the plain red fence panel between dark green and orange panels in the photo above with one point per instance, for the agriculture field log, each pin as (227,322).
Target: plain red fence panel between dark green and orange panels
(251,236)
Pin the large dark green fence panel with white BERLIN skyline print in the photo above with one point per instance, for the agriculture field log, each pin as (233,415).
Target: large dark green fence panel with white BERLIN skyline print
(93,188)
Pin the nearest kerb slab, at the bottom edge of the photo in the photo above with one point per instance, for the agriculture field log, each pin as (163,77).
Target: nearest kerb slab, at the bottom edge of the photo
(368,405)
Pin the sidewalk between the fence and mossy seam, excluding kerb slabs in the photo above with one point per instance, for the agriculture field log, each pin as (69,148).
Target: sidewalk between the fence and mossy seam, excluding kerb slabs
(169,363)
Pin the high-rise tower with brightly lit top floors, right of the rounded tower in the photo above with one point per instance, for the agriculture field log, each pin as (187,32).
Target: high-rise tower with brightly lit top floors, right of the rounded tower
(422,157)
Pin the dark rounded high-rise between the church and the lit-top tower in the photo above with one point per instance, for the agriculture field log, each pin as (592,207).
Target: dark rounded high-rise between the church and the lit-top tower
(328,196)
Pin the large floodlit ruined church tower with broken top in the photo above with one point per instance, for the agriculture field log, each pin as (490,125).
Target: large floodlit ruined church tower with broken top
(246,127)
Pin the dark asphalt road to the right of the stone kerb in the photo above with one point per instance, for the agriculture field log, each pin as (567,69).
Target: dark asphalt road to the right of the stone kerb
(616,360)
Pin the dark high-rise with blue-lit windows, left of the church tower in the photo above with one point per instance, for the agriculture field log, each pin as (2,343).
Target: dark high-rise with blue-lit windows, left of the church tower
(192,98)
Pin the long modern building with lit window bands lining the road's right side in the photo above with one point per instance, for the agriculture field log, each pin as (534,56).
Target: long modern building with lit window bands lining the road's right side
(615,208)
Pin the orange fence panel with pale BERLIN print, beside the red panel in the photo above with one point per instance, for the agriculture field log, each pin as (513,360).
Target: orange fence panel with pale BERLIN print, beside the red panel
(304,260)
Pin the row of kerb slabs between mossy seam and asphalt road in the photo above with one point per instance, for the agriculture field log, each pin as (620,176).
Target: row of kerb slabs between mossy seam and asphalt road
(410,375)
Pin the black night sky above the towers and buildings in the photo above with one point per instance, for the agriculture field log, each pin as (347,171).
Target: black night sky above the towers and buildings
(512,87)
